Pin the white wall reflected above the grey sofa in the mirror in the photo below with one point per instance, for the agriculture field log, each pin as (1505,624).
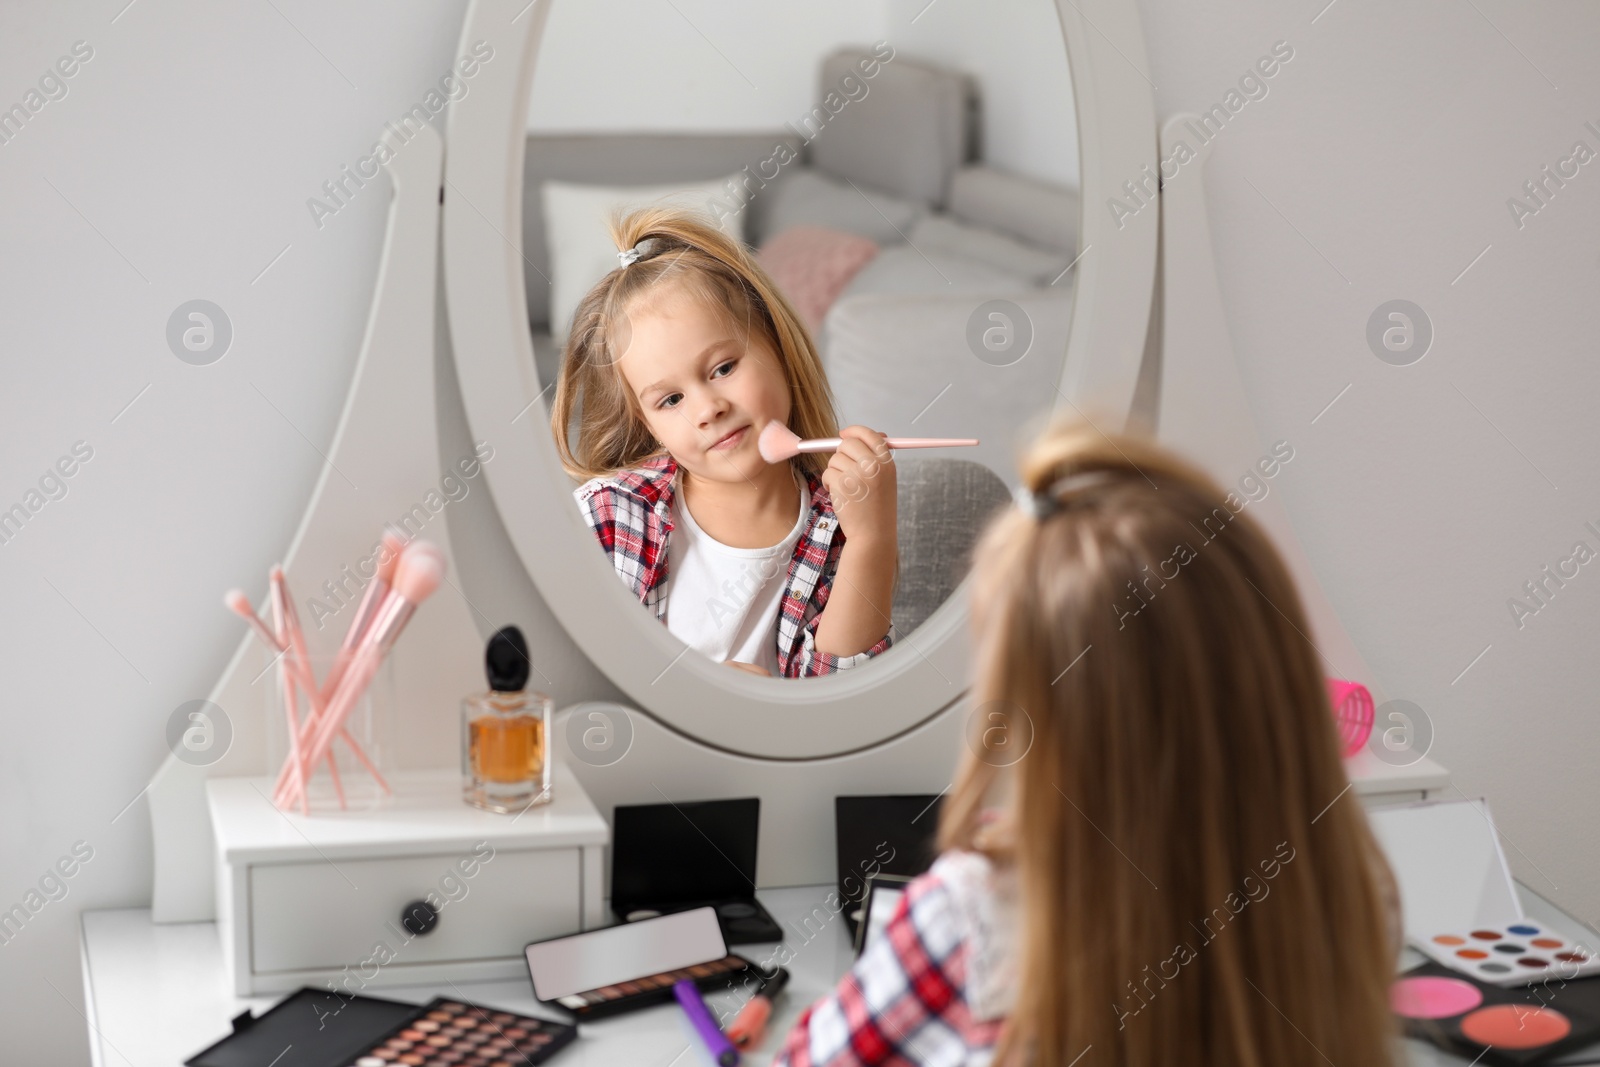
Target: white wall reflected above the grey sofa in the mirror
(694,66)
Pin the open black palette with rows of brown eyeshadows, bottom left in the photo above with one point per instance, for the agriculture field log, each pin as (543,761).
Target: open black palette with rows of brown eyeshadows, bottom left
(316,1028)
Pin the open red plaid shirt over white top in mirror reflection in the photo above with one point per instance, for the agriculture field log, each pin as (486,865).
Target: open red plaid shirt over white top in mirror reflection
(631,514)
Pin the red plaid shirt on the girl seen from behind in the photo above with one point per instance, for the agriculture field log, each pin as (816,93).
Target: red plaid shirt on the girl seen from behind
(930,989)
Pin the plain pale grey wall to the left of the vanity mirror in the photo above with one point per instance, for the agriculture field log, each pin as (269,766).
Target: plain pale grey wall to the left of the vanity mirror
(177,167)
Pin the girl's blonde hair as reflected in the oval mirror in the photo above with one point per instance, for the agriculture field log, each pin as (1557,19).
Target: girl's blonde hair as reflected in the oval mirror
(682,252)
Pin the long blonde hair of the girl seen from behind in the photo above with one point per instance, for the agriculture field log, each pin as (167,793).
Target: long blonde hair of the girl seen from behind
(1188,753)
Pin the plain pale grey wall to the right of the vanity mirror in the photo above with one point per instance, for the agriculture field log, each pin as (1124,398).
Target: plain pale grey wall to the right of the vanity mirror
(1377,169)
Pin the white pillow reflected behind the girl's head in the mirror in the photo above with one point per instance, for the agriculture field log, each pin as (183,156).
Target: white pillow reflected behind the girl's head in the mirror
(582,250)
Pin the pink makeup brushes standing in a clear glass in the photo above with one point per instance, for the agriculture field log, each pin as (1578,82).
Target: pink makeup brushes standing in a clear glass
(407,577)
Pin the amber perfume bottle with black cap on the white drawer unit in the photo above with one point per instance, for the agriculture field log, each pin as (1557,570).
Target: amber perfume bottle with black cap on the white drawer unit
(506,733)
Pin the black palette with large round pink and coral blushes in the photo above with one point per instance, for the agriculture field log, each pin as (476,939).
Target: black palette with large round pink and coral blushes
(1497,1026)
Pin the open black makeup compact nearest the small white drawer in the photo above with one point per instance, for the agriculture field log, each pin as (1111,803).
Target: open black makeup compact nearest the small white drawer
(679,857)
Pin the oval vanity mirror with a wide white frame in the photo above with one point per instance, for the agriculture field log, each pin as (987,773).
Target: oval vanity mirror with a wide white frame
(908,178)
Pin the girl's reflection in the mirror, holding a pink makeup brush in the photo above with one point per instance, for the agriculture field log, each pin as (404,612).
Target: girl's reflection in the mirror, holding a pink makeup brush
(679,359)
